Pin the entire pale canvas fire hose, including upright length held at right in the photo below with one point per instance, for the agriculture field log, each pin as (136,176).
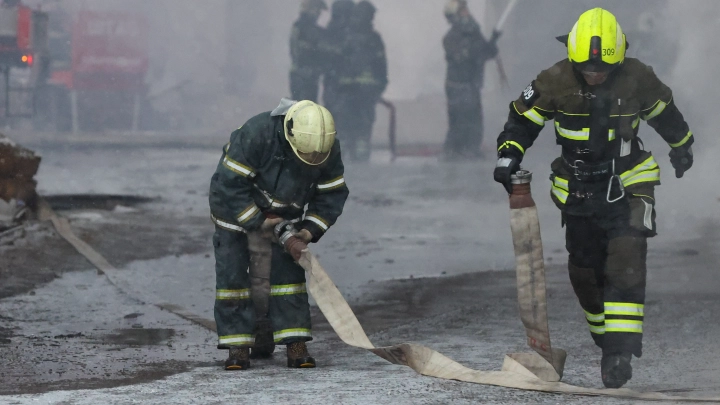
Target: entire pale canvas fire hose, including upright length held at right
(519,370)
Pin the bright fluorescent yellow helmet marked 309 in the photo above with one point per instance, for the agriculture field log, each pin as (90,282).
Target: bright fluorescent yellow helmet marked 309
(597,39)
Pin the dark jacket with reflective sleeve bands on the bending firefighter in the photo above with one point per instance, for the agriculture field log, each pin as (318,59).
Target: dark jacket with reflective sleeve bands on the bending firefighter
(259,174)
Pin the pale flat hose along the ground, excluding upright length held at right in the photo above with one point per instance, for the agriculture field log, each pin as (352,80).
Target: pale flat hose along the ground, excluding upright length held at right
(423,360)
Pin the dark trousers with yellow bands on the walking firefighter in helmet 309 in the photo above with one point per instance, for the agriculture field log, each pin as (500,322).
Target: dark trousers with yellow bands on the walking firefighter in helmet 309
(607,265)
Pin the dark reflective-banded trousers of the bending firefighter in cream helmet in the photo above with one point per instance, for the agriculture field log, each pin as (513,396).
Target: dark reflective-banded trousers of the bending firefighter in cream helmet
(288,309)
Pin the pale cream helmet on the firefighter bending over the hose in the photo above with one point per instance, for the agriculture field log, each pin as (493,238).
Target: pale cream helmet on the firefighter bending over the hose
(310,130)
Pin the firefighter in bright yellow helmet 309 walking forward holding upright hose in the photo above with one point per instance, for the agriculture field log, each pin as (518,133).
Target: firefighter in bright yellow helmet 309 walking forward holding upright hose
(604,180)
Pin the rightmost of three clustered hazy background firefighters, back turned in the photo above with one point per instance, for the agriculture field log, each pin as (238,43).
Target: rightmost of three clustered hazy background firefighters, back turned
(362,81)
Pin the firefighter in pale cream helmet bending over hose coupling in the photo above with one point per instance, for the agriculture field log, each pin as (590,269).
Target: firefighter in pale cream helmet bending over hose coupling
(281,165)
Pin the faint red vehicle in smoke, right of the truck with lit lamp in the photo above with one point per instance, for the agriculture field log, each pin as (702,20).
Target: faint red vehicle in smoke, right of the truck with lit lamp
(98,68)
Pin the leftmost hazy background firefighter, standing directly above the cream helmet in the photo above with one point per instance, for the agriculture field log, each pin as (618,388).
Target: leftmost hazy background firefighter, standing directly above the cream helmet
(306,54)
